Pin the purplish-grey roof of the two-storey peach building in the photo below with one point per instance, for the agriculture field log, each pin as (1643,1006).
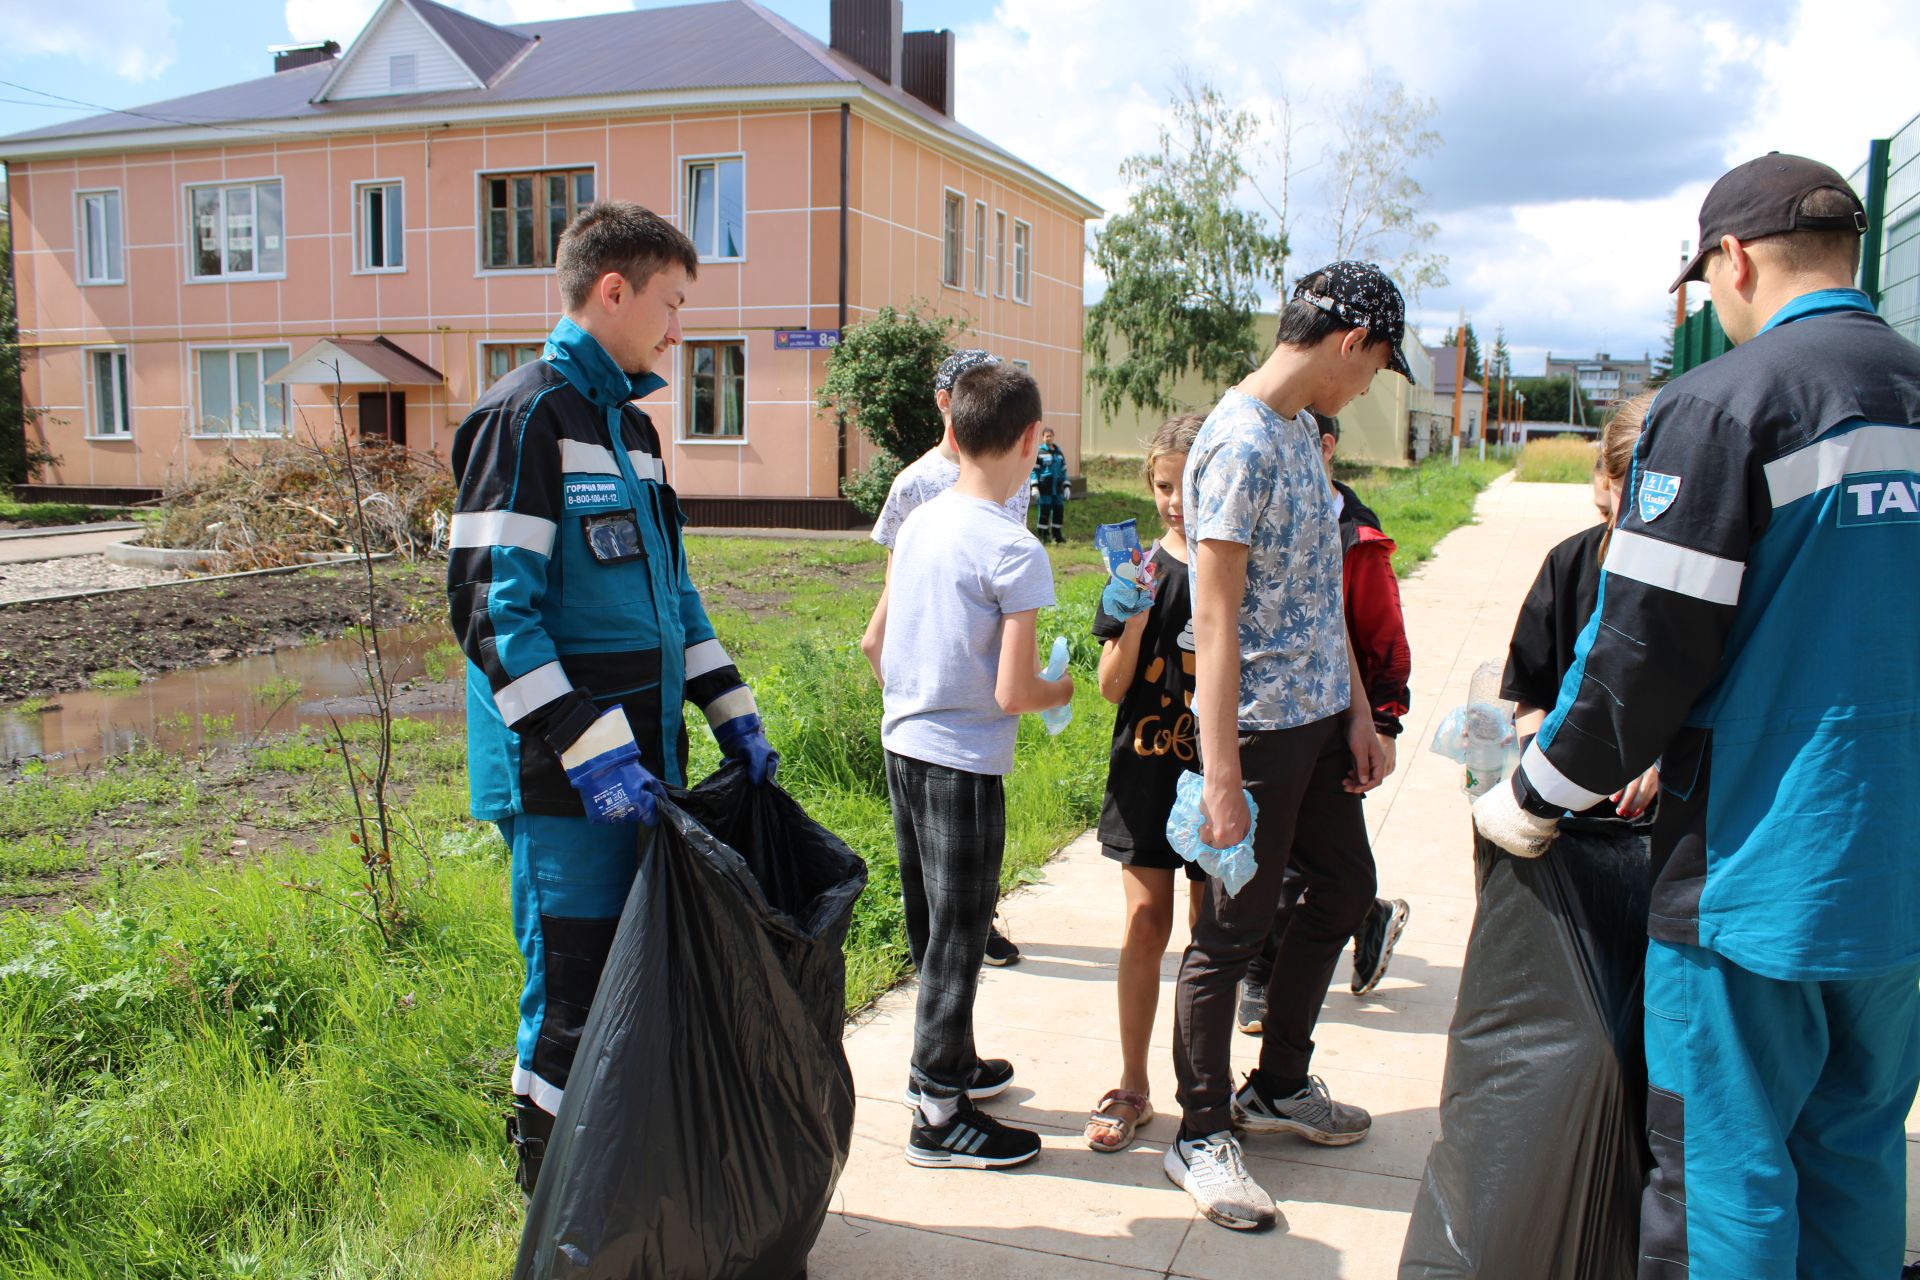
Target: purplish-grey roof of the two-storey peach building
(715,55)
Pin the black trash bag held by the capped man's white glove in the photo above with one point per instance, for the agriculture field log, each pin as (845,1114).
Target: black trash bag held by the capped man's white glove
(1543,1120)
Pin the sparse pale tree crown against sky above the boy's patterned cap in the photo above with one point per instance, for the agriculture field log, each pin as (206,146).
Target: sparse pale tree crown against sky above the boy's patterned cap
(1376,210)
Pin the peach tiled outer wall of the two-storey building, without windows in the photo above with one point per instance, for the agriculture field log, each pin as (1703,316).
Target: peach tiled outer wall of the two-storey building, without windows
(443,308)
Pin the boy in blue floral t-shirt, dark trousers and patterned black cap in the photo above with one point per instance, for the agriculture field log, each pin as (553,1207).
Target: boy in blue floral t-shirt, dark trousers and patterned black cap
(1285,721)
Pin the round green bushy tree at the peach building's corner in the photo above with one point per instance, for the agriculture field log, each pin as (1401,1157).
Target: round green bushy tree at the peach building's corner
(880,379)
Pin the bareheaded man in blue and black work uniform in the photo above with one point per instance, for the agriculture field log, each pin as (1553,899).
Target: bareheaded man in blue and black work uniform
(583,630)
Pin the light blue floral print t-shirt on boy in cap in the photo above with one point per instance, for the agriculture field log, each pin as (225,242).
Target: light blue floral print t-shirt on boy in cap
(1257,479)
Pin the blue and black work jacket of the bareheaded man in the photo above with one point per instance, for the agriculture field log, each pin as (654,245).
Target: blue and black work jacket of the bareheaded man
(569,582)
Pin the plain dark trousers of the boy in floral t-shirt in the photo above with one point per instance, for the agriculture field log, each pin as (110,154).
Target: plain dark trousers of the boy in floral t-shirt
(1308,820)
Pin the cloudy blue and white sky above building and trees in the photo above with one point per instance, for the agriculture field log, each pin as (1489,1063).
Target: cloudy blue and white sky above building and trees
(1579,137)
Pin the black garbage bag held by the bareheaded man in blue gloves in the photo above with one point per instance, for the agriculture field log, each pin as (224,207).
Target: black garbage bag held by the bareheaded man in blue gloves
(709,1110)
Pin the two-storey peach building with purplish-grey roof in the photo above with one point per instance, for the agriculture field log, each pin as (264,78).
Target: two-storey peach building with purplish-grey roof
(199,273)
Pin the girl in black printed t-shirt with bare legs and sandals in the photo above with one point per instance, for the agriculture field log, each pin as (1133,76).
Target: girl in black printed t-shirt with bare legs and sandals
(1147,669)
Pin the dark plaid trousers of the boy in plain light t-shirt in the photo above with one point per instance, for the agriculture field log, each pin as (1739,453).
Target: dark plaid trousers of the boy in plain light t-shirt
(951,832)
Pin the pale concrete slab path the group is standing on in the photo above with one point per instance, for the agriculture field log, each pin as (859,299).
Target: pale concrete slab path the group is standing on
(1080,1216)
